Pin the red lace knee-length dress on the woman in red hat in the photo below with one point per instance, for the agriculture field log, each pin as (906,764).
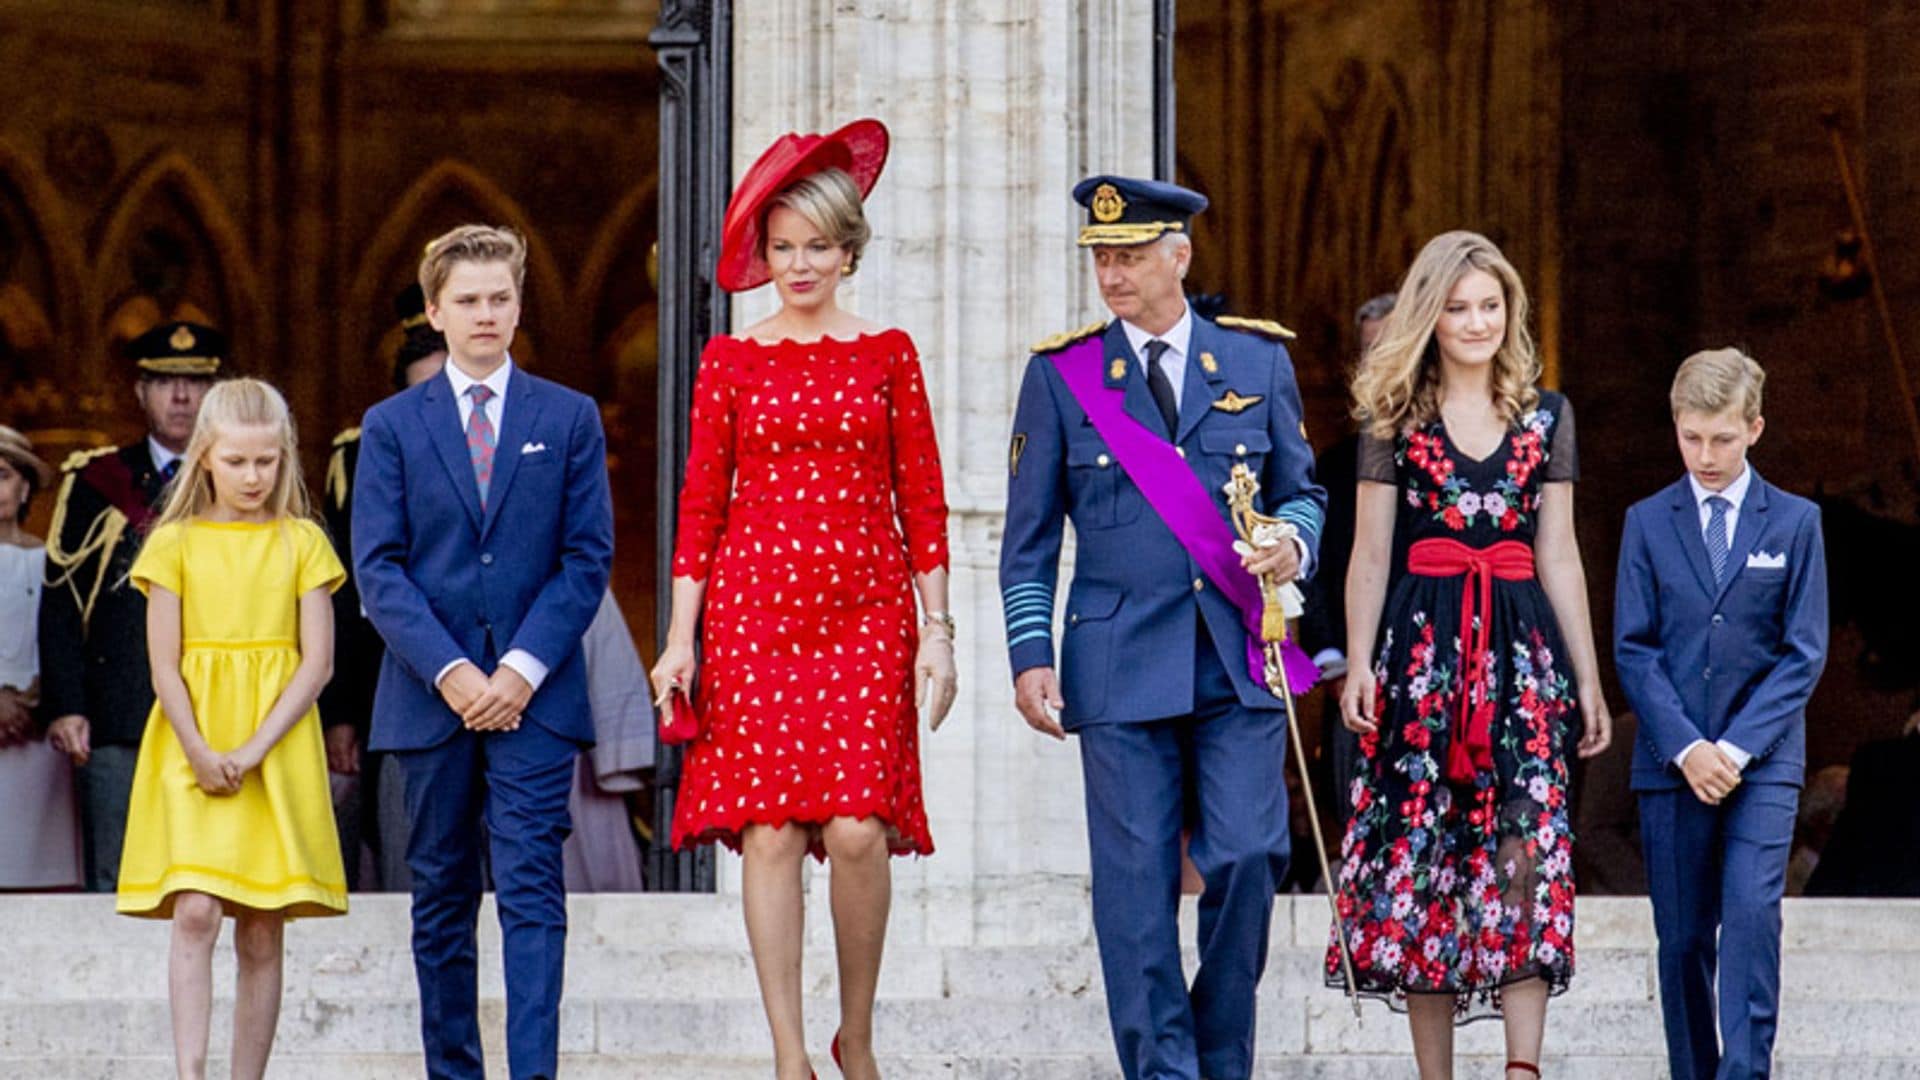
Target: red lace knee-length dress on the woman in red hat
(813,497)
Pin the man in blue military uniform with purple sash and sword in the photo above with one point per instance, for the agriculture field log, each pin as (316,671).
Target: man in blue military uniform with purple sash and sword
(1130,430)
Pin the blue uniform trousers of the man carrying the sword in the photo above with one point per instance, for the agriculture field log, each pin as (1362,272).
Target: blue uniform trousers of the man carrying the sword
(1216,772)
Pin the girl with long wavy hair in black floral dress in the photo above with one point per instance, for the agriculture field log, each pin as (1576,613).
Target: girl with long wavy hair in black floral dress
(1466,587)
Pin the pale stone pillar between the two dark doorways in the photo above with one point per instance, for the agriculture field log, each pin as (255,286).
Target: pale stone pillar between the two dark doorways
(996,109)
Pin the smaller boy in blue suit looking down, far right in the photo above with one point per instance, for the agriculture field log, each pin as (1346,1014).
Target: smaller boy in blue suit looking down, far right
(1719,641)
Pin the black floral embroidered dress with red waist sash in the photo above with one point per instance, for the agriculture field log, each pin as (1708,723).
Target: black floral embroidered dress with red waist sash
(1458,862)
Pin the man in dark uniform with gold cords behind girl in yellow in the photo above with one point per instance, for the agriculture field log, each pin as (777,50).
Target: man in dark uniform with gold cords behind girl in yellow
(93,626)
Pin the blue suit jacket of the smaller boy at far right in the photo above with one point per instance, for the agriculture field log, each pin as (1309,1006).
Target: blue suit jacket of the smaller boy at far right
(1733,662)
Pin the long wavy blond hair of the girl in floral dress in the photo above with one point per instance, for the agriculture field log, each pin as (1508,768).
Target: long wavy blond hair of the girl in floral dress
(1399,381)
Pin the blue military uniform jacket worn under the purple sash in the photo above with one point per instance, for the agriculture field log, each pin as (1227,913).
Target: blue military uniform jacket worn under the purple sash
(1128,652)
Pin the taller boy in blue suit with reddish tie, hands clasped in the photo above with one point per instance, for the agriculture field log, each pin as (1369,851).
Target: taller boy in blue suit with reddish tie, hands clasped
(483,537)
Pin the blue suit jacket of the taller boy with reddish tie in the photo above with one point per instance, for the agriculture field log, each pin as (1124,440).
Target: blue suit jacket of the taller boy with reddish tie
(444,579)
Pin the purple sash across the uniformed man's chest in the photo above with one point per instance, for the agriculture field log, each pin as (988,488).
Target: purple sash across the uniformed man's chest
(1178,497)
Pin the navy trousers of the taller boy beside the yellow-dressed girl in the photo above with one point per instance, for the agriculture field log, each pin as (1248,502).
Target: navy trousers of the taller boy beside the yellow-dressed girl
(517,783)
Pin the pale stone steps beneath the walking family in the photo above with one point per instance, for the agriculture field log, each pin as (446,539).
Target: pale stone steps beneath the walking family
(996,983)
